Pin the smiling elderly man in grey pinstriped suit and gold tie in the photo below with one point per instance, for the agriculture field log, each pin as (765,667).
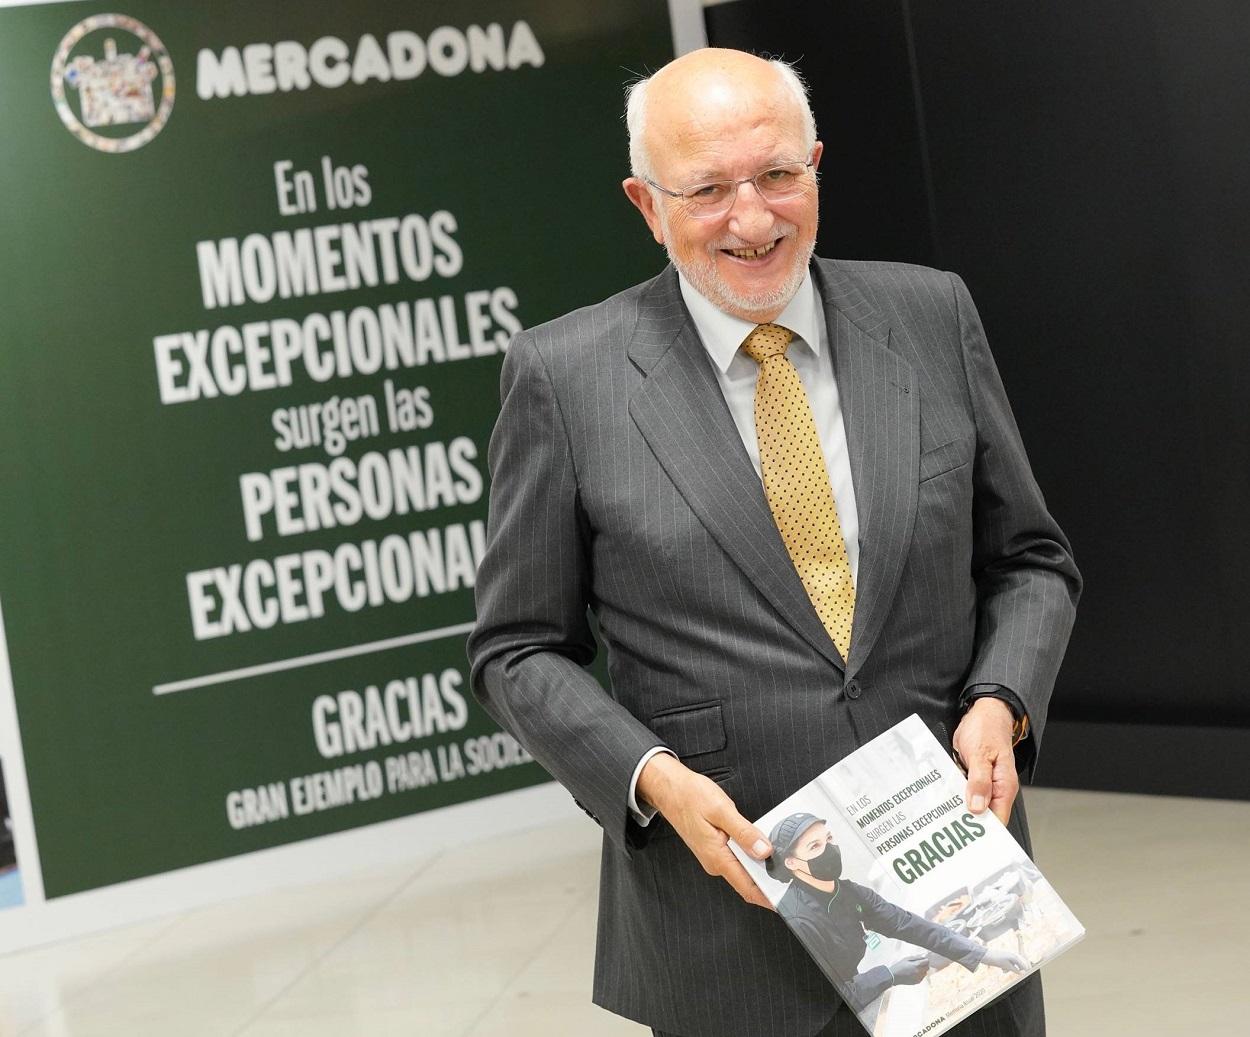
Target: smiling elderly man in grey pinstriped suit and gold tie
(793,497)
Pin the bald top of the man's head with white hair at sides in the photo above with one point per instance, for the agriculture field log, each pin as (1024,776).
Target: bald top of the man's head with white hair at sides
(707,92)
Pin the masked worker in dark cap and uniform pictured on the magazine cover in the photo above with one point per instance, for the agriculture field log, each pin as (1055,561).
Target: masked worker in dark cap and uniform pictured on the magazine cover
(831,915)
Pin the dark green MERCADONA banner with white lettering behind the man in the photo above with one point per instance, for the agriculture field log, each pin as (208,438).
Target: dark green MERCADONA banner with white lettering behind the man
(112,498)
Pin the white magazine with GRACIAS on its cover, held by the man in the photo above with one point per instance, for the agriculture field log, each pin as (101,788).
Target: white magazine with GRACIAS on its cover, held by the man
(917,910)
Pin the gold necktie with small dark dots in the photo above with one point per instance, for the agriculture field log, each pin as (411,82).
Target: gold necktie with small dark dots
(797,483)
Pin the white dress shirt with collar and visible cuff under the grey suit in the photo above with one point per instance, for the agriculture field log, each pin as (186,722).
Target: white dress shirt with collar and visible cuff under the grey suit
(722,337)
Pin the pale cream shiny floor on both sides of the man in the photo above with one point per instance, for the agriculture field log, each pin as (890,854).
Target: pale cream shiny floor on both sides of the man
(498,939)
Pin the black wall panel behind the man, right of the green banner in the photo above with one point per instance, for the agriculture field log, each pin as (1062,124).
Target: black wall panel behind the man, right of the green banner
(1086,169)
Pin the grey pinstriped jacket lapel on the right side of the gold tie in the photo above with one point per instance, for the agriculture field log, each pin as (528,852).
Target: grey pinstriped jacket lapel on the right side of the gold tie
(882,414)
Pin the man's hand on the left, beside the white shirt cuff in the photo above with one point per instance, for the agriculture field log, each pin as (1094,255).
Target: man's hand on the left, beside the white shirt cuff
(706,819)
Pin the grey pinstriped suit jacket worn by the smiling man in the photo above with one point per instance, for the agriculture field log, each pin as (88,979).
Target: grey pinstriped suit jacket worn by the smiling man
(621,483)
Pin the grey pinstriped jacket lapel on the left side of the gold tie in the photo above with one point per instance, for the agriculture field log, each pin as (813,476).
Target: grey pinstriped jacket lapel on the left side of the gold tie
(682,414)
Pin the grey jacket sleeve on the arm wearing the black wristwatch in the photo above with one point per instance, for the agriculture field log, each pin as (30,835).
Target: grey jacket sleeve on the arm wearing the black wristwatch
(1028,584)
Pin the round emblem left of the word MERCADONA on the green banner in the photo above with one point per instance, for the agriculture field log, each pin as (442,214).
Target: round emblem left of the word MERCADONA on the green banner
(113,83)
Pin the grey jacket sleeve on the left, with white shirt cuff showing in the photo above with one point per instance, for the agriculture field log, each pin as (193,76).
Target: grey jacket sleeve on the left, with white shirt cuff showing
(533,640)
